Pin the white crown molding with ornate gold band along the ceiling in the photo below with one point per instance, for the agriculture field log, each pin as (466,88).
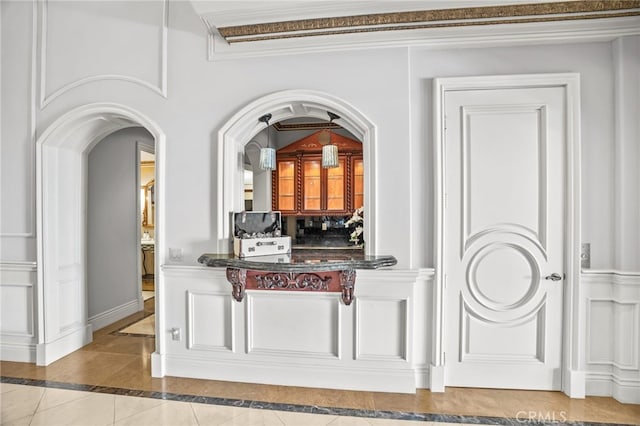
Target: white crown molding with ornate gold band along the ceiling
(498,24)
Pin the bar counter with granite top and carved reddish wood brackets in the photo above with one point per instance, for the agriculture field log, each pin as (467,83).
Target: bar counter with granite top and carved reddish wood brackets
(302,270)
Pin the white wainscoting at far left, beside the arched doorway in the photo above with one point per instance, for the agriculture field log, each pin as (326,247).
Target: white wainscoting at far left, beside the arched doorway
(17,319)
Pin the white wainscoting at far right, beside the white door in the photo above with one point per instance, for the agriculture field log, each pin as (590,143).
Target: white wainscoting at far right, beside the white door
(612,309)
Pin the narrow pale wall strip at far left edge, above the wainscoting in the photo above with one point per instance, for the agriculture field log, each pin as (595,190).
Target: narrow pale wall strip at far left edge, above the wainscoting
(17,168)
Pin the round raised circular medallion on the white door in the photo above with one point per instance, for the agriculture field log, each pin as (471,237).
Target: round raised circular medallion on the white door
(503,276)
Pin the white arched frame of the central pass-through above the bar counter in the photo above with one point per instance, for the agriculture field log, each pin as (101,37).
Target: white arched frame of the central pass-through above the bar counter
(244,125)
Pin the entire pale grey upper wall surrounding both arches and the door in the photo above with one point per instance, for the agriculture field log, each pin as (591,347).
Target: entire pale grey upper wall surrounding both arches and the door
(122,57)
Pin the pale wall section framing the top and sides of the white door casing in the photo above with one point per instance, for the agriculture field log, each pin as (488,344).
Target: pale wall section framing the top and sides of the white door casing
(593,62)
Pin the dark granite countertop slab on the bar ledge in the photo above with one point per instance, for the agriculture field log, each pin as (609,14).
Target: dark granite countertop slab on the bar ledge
(301,261)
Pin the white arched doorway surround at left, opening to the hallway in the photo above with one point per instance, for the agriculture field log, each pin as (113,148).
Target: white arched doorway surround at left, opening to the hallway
(61,158)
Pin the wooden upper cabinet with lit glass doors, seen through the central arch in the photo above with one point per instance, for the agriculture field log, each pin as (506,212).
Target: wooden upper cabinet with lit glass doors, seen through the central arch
(301,186)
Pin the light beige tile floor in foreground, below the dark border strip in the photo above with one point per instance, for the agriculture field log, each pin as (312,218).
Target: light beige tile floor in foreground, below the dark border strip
(34,406)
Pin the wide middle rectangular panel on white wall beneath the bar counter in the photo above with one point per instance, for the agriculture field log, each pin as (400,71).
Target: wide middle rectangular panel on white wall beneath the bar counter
(293,324)
